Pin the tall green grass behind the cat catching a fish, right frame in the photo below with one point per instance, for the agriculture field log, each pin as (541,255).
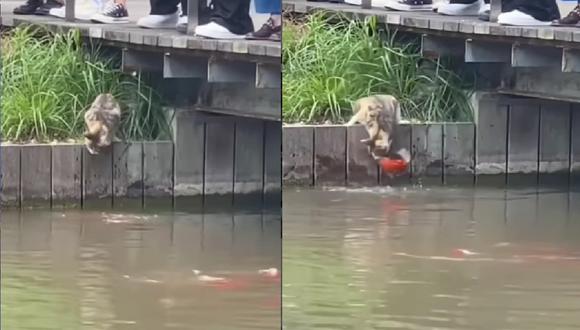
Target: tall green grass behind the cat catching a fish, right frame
(330,61)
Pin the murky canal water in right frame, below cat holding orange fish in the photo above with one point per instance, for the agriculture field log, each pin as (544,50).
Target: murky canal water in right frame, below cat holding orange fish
(440,258)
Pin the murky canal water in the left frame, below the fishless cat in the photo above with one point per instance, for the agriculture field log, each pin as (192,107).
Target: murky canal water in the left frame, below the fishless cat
(110,270)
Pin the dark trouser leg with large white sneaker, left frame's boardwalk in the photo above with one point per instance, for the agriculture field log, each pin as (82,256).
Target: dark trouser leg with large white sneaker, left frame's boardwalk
(230,19)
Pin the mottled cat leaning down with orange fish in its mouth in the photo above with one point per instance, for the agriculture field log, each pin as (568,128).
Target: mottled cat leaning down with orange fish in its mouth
(380,115)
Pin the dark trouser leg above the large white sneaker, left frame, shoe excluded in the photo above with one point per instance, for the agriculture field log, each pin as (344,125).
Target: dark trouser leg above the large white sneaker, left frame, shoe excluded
(234,15)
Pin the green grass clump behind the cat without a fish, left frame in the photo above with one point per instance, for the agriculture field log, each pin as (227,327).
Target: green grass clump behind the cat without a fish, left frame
(49,81)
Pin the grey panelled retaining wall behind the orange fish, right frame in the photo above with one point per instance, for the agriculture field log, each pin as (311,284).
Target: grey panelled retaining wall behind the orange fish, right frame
(518,141)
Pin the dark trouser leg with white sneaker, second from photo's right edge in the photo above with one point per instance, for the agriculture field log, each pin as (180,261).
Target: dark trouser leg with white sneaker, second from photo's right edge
(530,13)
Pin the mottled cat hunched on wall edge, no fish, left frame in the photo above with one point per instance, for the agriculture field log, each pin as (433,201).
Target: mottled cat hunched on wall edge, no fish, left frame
(102,121)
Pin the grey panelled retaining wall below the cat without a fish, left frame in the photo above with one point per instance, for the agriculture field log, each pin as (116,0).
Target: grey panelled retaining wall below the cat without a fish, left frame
(234,159)
